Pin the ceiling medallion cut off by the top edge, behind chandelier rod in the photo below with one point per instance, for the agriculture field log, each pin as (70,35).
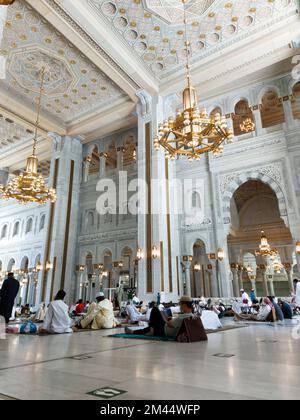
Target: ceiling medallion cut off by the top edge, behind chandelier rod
(171,11)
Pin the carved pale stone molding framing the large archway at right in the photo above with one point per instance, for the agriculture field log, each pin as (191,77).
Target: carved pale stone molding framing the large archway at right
(269,175)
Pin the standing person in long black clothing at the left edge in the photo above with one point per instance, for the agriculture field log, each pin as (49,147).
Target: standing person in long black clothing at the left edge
(8,293)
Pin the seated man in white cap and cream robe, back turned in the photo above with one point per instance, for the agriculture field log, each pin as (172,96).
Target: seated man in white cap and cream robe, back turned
(100,315)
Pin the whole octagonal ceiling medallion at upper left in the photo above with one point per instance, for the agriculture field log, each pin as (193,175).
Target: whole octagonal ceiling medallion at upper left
(25,65)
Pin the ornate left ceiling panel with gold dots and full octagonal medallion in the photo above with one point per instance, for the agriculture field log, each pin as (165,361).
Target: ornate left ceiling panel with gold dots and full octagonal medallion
(74,86)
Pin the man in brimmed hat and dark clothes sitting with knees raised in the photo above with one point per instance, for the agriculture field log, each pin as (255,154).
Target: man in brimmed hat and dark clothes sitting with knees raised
(159,326)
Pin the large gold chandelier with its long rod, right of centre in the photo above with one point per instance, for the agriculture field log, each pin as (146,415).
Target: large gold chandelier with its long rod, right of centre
(193,132)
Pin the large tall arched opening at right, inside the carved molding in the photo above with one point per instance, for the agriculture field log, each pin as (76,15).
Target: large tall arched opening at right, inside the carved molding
(255,207)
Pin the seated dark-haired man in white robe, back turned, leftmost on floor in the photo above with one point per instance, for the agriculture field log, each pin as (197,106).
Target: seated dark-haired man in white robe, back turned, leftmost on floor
(57,320)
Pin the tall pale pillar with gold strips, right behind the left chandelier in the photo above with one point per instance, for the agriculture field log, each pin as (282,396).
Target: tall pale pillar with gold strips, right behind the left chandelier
(61,238)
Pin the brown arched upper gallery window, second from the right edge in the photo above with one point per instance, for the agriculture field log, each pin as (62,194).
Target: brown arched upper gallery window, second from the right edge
(271,110)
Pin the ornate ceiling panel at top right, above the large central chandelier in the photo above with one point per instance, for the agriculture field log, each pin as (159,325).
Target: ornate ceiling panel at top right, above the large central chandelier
(154,31)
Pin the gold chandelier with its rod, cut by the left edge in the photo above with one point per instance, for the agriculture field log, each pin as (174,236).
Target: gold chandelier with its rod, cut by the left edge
(30,186)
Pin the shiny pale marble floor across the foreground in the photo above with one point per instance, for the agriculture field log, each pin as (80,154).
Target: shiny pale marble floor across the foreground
(263,363)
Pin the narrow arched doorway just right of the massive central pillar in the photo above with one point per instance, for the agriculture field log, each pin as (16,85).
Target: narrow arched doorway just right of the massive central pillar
(201,282)
